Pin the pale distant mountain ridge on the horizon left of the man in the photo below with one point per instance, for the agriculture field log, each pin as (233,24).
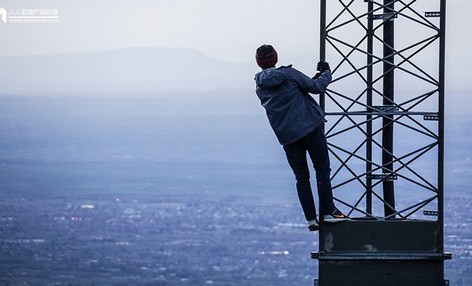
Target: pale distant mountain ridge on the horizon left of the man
(121,71)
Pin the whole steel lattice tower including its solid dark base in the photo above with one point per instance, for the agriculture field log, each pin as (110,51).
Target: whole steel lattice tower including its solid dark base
(385,111)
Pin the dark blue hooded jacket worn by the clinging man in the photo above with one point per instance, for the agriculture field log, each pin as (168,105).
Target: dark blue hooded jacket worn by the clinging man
(284,93)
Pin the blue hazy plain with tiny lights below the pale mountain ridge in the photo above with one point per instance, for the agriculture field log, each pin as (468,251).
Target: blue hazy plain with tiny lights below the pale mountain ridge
(174,189)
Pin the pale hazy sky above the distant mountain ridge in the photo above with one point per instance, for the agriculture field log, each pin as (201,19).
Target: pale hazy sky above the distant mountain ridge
(226,29)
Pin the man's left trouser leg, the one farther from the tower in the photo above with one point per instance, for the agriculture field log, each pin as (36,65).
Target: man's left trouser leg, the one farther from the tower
(296,156)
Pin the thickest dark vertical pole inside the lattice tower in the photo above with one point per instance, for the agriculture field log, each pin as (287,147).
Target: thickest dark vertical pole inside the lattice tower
(388,100)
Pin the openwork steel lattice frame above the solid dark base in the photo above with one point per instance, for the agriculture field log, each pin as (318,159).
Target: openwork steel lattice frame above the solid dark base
(385,106)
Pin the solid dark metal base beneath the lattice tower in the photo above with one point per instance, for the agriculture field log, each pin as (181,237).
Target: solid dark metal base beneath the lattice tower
(373,252)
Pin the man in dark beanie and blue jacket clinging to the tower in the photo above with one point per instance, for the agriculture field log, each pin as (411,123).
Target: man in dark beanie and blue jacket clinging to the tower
(297,121)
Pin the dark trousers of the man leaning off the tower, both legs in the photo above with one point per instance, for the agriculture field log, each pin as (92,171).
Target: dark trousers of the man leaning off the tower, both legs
(315,144)
